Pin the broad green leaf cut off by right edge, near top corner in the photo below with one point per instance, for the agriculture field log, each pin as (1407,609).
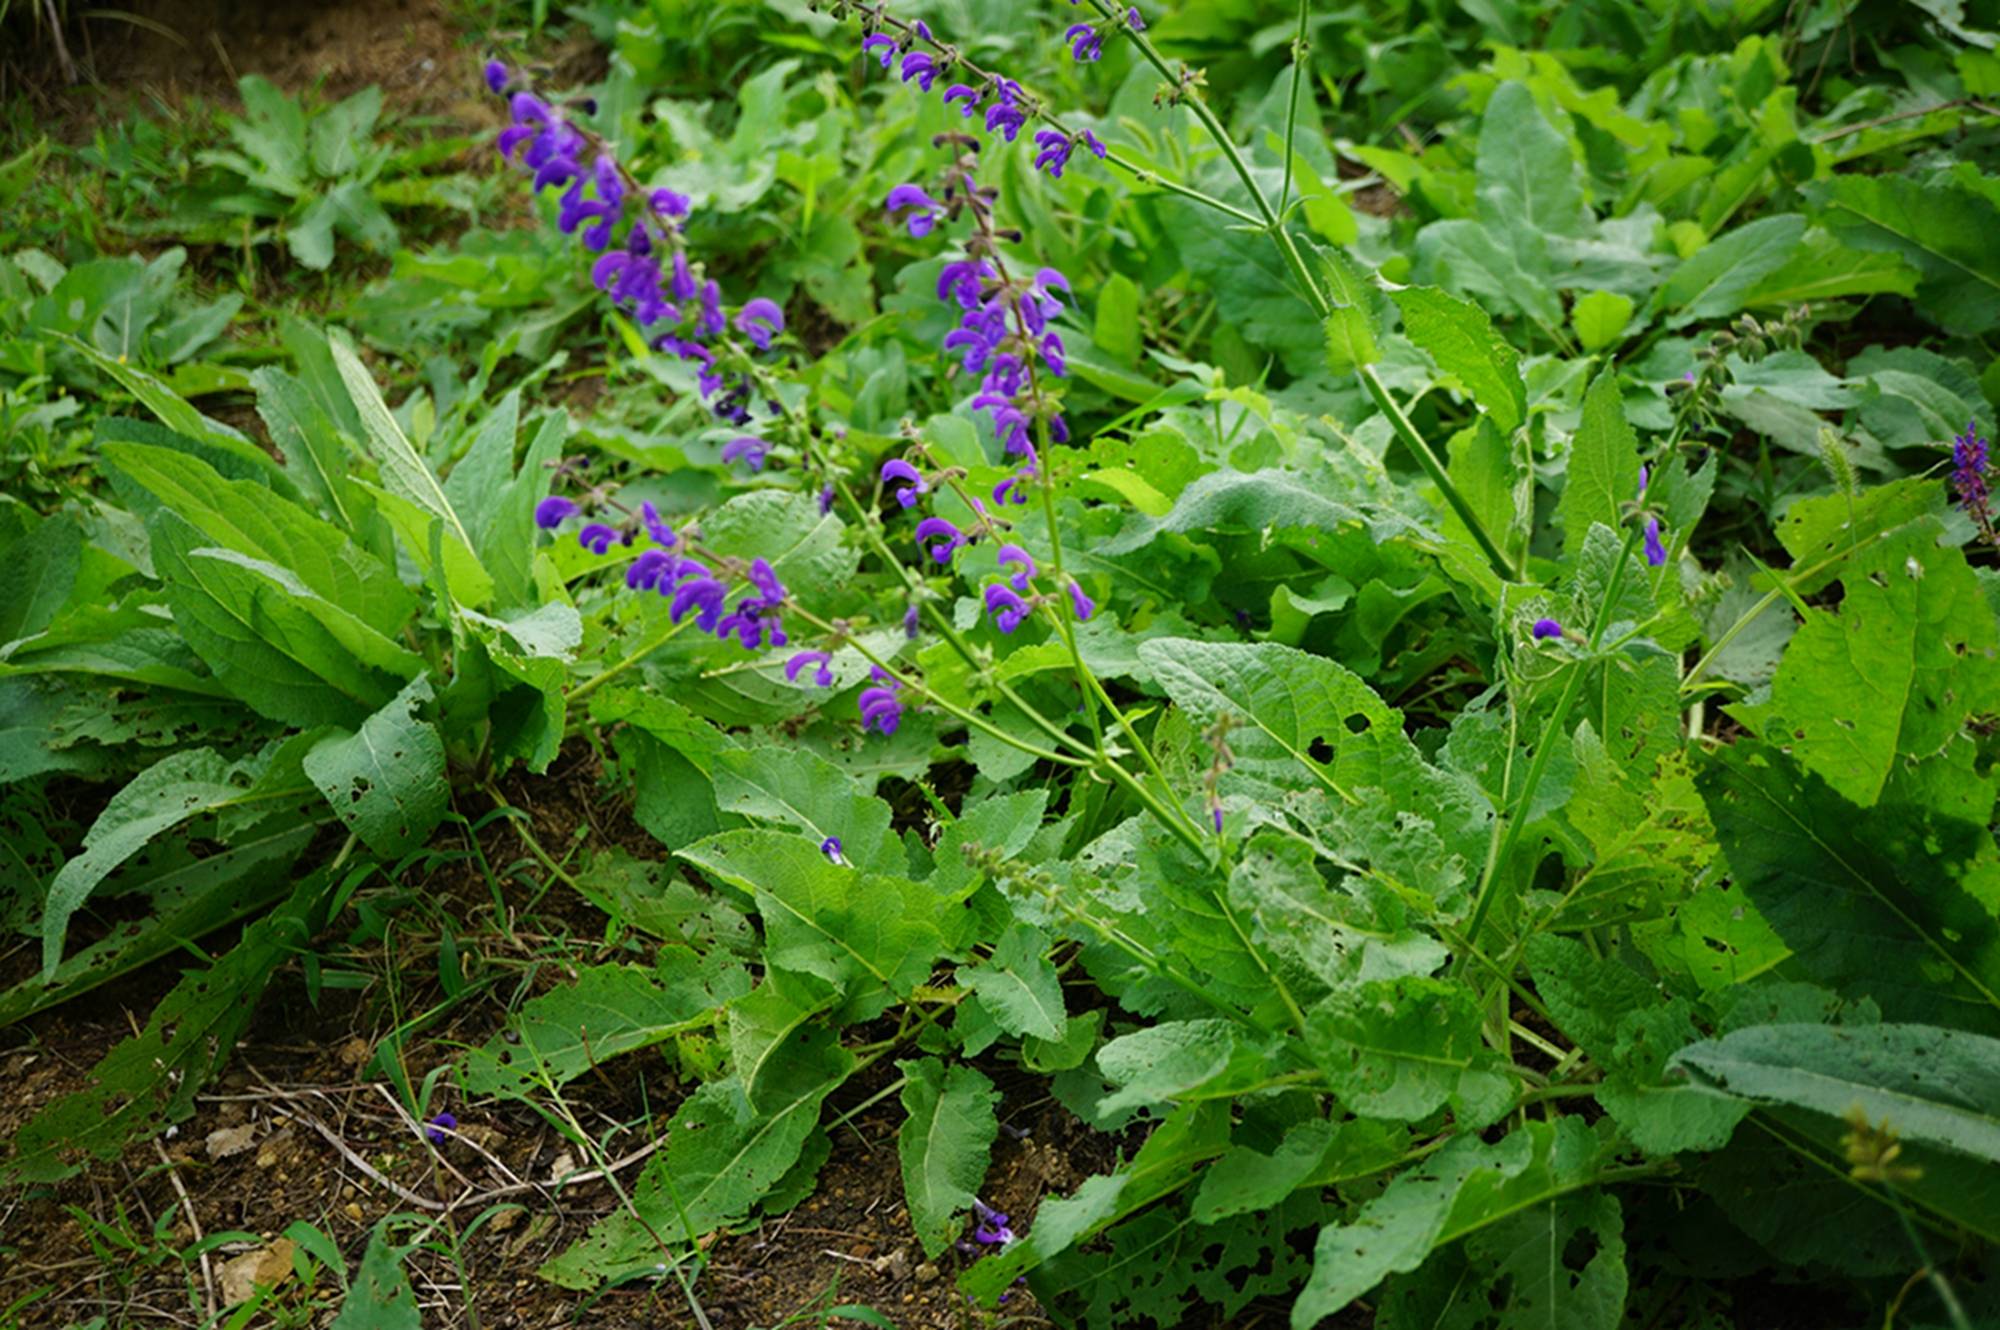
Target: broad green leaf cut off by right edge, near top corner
(1941,227)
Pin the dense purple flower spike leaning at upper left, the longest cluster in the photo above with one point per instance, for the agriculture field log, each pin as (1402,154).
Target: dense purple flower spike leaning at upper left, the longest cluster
(649,273)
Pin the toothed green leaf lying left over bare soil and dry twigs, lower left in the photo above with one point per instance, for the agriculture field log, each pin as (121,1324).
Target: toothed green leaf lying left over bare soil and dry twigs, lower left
(605,1013)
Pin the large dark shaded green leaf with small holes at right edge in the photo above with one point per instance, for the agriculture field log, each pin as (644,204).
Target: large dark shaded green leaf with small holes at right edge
(1873,903)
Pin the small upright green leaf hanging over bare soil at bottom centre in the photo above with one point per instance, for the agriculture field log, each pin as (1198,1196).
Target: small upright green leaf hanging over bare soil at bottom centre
(945,1145)
